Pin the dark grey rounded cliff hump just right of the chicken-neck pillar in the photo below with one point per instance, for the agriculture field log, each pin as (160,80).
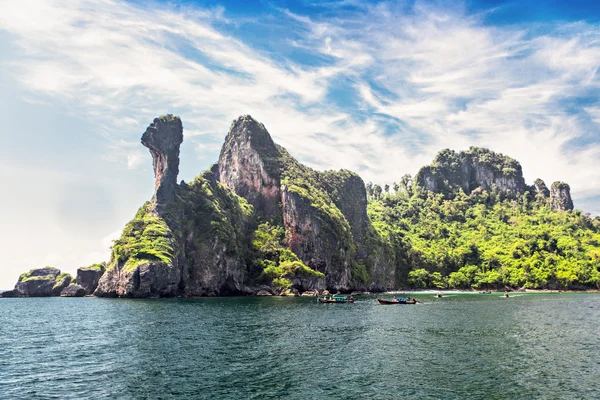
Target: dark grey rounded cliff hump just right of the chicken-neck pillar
(213,229)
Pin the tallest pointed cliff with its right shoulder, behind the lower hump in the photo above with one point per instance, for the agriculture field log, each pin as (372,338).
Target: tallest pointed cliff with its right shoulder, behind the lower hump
(323,213)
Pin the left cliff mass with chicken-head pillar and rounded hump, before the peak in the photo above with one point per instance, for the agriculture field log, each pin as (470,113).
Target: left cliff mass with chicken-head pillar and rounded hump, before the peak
(190,240)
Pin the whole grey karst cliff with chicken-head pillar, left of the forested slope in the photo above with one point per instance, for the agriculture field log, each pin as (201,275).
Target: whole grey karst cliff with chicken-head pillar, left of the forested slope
(200,238)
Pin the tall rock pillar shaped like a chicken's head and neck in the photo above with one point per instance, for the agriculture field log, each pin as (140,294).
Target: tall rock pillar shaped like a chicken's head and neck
(163,138)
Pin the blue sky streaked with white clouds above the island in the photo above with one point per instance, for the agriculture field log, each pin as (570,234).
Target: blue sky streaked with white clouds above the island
(375,87)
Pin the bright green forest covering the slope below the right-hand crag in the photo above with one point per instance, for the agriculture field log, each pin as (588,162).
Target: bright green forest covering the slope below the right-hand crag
(485,241)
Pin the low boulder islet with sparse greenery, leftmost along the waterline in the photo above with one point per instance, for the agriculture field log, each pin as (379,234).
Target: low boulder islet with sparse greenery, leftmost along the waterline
(42,282)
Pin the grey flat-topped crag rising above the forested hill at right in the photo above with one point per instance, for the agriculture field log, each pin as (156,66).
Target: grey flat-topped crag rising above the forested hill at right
(467,170)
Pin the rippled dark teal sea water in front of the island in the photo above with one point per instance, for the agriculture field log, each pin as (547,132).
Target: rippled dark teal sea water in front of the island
(463,346)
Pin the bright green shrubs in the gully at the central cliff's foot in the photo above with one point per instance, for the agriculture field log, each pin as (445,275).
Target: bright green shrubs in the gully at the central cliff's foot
(277,264)
